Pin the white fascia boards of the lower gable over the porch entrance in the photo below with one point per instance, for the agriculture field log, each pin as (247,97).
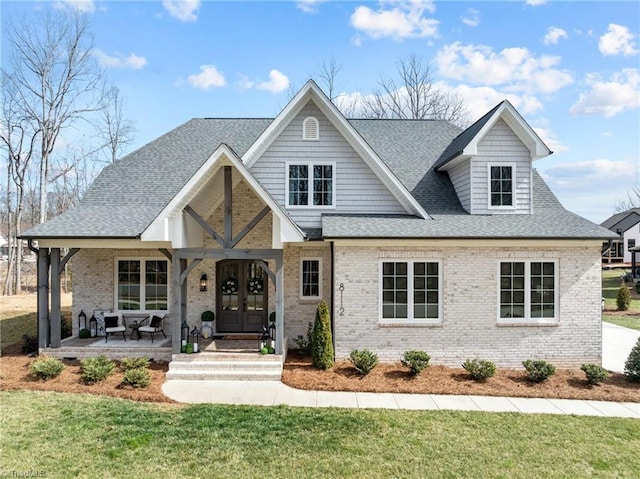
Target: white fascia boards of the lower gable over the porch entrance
(223,155)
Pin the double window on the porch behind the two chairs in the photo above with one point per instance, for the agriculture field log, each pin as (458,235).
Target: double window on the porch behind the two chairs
(142,285)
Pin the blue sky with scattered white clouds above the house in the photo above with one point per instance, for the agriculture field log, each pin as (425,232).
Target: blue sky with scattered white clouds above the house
(571,68)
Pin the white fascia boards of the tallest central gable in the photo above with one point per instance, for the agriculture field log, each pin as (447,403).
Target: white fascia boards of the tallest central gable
(311,91)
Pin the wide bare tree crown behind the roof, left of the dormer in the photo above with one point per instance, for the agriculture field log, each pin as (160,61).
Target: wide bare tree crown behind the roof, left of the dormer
(414,96)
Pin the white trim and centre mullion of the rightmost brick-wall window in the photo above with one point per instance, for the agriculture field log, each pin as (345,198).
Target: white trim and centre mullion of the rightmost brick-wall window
(527,295)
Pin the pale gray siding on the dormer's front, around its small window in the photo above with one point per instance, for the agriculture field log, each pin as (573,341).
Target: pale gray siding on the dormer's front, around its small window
(500,145)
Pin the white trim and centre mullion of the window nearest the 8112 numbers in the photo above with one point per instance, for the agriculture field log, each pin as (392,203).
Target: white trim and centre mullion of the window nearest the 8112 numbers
(410,292)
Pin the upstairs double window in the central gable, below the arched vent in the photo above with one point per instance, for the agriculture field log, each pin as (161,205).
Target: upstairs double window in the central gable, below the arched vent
(310,184)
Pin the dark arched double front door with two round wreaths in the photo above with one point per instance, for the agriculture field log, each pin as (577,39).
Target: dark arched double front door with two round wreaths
(241,296)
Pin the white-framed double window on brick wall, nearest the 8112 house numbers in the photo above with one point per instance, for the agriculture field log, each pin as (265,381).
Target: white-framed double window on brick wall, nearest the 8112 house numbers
(411,290)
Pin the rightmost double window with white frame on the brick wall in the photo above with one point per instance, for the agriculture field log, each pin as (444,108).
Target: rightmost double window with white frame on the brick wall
(528,290)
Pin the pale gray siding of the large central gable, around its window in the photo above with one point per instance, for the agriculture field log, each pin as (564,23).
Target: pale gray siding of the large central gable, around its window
(358,189)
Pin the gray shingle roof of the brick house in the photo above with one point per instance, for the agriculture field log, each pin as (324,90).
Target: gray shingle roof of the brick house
(128,195)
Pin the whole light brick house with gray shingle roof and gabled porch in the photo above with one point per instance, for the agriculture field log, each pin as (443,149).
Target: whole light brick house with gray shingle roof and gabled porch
(417,234)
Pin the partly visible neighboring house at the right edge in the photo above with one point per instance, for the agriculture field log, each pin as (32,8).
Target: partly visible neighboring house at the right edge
(626,226)
